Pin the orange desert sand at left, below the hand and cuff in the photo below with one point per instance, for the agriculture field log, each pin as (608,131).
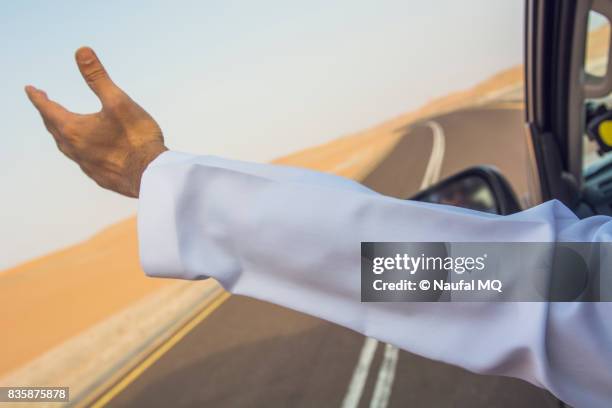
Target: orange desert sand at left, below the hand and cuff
(47,301)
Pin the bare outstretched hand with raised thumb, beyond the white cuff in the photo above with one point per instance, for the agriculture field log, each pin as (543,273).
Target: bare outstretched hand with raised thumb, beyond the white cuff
(113,146)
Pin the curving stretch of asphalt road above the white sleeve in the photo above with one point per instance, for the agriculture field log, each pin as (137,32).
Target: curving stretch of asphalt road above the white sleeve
(492,136)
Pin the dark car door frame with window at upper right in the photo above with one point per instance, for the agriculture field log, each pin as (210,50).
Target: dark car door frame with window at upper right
(568,82)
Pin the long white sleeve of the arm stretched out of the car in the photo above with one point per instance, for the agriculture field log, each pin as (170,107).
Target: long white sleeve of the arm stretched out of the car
(292,237)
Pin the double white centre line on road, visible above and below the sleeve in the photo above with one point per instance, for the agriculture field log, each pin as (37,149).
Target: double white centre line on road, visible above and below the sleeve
(386,373)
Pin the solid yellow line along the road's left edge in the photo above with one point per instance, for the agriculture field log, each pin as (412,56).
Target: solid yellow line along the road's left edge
(159,352)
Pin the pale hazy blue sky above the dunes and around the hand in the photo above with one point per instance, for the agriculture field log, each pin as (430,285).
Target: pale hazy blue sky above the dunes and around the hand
(250,80)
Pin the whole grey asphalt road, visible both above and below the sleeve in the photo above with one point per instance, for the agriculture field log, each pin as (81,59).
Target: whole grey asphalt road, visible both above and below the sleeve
(254,354)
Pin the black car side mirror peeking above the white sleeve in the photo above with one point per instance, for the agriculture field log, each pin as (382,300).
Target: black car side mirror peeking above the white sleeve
(479,188)
